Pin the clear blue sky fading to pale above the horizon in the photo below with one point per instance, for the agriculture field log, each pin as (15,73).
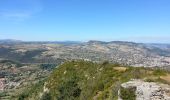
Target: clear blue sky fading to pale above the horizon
(84,20)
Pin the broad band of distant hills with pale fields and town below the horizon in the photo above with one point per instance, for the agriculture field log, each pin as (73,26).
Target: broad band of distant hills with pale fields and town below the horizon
(128,53)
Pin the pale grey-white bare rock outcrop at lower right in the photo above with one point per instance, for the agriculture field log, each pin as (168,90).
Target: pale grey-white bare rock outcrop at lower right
(148,90)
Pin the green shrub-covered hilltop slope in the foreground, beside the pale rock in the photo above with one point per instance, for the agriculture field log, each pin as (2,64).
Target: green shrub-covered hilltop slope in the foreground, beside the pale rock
(83,80)
